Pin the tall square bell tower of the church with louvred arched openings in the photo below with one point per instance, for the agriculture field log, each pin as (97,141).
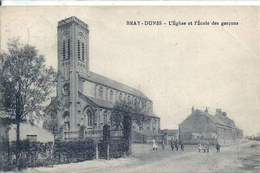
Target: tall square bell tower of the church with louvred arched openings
(73,58)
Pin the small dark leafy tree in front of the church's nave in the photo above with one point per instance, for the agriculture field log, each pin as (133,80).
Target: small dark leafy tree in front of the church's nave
(124,114)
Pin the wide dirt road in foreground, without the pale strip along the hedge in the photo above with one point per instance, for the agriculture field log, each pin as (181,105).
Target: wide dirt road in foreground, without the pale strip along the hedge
(242,157)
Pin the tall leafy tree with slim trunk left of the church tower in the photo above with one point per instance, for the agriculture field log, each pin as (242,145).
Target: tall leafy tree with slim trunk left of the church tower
(26,84)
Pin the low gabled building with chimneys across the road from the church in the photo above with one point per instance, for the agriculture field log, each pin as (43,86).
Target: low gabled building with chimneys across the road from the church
(201,126)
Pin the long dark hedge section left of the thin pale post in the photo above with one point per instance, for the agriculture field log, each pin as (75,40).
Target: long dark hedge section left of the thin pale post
(37,154)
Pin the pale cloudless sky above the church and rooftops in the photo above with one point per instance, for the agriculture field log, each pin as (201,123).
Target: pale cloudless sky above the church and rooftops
(177,67)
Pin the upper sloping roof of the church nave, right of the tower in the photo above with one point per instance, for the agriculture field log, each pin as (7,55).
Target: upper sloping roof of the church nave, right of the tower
(94,77)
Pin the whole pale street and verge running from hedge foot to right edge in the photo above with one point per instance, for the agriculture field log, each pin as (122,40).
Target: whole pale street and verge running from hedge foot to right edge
(243,156)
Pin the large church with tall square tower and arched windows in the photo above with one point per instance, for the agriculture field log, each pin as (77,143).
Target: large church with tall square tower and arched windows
(86,98)
